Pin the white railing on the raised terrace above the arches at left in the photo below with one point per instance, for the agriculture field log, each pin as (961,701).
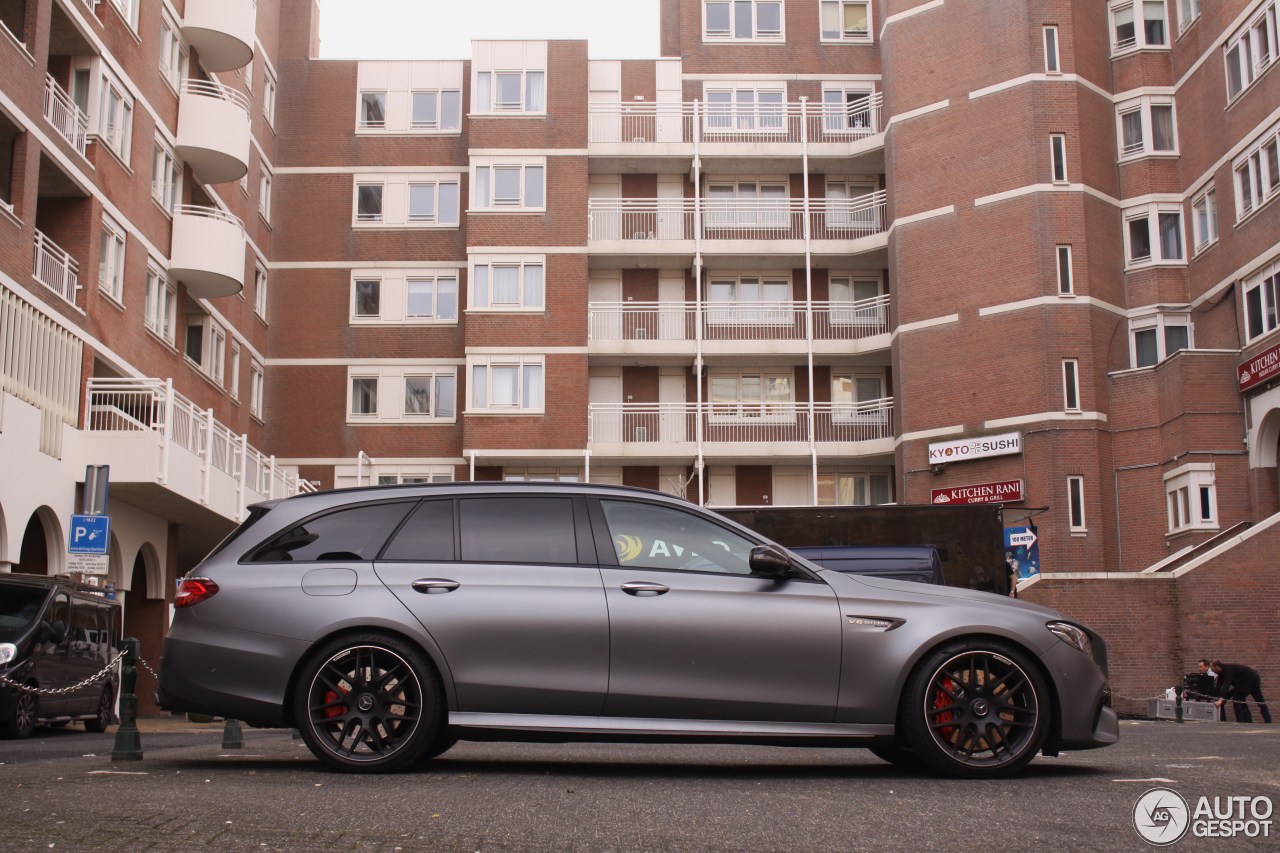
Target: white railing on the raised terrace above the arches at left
(179,425)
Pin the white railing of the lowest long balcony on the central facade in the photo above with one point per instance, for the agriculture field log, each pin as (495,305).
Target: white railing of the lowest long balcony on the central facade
(739,423)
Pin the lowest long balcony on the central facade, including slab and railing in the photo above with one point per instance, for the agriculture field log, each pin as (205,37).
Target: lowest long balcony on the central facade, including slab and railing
(747,430)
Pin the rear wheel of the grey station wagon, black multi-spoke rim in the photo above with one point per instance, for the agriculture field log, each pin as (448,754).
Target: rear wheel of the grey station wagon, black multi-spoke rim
(368,704)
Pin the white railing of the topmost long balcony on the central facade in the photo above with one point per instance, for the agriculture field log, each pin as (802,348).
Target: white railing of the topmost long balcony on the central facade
(696,122)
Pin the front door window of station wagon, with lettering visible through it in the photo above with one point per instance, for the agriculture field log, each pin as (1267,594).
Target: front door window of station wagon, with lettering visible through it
(659,537)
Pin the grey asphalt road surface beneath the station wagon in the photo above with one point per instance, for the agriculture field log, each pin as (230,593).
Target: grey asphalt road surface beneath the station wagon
(62,792)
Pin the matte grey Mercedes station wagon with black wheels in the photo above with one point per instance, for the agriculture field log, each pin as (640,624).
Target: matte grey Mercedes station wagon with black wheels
(390,623)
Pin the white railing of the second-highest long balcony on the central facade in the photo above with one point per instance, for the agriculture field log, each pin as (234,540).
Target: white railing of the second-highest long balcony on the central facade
(611,220)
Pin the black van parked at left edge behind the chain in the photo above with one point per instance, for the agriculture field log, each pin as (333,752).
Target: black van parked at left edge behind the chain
(56,635)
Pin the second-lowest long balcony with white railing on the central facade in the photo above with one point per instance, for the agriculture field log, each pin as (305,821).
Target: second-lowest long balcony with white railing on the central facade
(656,329)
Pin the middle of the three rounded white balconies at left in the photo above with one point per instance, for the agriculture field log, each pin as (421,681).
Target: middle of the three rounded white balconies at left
(214,131)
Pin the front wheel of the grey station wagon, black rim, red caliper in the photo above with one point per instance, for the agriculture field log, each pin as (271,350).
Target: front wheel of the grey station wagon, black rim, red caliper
(976,710)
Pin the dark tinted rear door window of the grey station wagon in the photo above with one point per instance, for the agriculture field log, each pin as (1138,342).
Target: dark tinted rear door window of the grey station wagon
(520,530)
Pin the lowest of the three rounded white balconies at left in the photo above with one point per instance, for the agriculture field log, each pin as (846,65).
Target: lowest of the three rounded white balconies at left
(208,252)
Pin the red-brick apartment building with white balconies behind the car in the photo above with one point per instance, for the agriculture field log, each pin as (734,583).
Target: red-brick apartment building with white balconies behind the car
(817,253)
